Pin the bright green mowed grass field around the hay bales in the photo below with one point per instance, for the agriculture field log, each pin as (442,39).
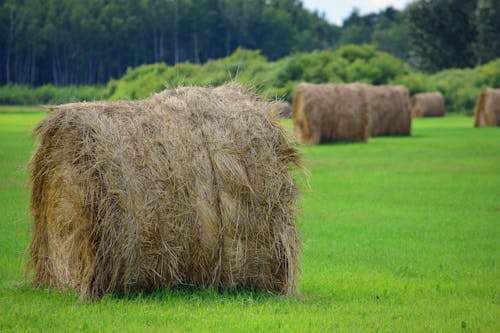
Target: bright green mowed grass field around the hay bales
(401,234)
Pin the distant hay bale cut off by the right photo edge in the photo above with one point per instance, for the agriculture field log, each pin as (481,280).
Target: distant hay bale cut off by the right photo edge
(487,111)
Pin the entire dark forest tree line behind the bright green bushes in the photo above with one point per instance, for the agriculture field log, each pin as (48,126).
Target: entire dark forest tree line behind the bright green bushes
(67,42)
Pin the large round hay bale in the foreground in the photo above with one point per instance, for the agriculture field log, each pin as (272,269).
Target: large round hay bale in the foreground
(191,186)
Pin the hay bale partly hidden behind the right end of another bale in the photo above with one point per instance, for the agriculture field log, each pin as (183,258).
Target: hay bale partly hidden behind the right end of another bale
(389,110)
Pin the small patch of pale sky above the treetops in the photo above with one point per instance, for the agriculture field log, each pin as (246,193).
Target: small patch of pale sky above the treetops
(338,10)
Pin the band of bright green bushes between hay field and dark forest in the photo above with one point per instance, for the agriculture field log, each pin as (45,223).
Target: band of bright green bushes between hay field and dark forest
(350,63)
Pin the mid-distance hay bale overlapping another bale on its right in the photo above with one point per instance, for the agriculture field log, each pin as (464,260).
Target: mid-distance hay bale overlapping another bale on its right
(330,112)
